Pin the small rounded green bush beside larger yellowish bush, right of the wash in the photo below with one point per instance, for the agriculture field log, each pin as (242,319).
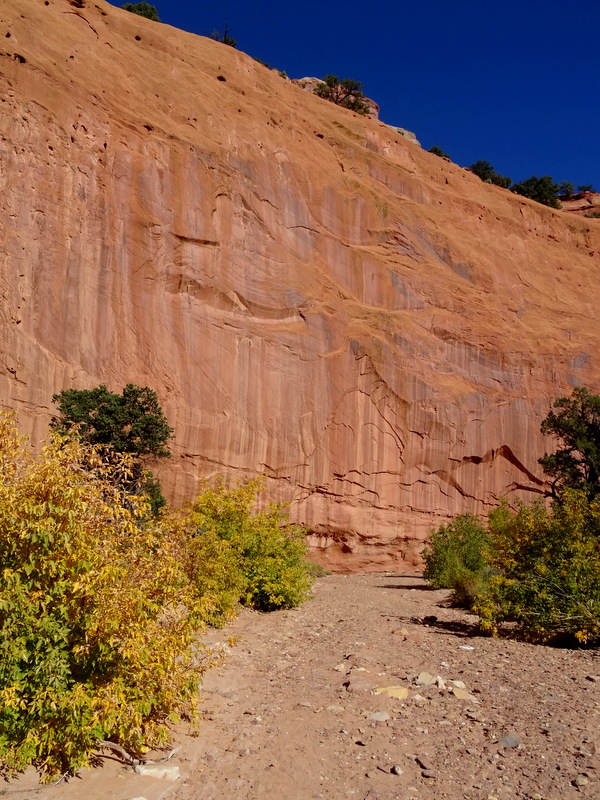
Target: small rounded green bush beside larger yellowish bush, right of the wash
(456,558)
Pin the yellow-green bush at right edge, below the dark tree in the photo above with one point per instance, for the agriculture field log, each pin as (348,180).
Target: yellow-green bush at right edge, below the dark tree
(548,588)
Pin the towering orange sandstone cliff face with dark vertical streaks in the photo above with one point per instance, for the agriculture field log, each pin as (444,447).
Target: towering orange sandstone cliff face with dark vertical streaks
(311,295)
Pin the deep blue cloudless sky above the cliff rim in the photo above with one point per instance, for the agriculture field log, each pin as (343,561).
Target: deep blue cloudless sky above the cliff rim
(515,83)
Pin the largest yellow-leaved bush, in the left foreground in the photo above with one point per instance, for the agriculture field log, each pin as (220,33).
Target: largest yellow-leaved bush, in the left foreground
(97,620)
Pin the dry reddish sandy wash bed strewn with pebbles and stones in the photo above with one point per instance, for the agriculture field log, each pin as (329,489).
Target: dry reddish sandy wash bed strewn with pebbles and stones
(292,713)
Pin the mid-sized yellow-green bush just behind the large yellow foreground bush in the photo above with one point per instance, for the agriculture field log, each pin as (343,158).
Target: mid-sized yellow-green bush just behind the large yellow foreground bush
(267,555)
